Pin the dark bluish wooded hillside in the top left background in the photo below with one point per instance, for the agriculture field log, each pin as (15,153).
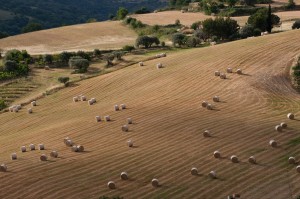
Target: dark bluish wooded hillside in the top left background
(15,14)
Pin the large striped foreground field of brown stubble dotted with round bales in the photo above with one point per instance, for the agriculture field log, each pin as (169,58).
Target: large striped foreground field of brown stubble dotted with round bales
(168,122)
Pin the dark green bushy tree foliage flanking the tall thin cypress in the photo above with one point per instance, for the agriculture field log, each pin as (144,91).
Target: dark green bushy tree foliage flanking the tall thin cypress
(260,19)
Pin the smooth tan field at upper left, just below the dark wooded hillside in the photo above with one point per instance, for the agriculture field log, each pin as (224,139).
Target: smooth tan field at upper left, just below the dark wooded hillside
(101,35)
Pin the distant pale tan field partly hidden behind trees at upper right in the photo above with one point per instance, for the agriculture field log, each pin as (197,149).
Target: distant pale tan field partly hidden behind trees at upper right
(188,18)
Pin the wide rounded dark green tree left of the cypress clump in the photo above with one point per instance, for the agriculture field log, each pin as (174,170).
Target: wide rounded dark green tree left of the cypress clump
(220,27)
